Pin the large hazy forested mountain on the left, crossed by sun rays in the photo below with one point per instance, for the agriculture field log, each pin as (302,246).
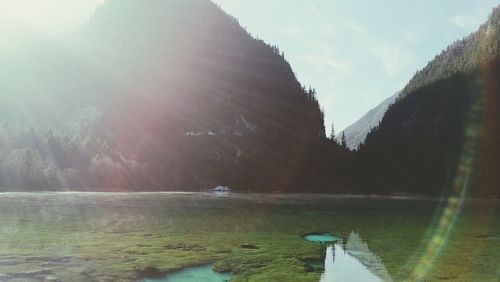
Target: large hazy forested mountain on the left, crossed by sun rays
(158,95)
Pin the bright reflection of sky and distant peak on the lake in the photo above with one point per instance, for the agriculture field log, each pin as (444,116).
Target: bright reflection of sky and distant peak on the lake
(353,261)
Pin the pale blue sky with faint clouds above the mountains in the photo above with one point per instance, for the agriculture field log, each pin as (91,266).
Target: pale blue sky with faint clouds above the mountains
(355,53)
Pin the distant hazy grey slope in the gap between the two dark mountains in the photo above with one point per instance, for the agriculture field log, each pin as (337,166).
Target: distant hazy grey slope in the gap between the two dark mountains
(355,134)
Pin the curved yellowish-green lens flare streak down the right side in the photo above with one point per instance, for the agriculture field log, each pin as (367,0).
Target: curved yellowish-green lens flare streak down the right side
(467,173)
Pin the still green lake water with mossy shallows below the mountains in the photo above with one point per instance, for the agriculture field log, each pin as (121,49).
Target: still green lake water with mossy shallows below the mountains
(128,237)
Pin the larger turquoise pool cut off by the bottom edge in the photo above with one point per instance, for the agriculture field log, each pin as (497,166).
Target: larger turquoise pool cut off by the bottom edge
(203,273)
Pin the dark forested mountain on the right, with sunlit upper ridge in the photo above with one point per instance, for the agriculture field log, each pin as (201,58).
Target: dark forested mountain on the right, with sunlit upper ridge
(448,114)
